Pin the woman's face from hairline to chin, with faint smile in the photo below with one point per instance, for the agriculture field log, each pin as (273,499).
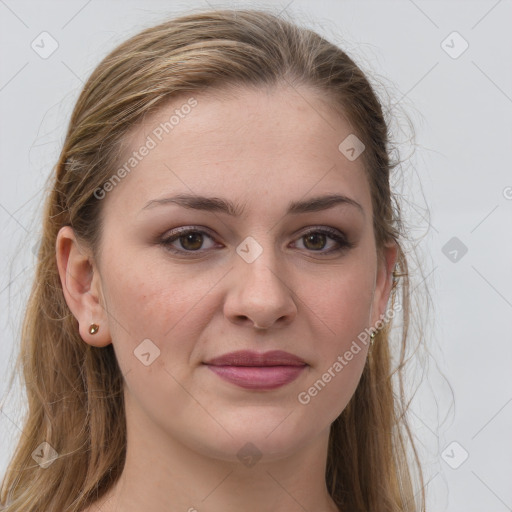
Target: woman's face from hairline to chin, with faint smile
(183,284)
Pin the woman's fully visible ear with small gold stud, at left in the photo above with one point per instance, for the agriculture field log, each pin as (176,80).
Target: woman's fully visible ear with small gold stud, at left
(81,284)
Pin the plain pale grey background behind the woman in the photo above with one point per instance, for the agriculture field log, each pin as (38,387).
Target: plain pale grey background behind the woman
(456,182)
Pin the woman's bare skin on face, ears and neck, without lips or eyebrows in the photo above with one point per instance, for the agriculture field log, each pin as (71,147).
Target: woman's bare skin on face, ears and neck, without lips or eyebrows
(261,148)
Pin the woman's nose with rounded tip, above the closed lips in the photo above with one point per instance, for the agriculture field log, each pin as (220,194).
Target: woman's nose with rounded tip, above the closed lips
(259,296)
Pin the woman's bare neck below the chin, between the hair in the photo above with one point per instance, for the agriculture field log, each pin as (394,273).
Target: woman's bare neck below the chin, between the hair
(162,474)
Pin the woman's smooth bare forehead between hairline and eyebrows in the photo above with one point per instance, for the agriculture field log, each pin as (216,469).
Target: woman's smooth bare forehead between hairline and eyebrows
(253,145)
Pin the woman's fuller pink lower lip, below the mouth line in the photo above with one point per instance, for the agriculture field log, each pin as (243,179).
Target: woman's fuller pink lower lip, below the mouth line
(258,377)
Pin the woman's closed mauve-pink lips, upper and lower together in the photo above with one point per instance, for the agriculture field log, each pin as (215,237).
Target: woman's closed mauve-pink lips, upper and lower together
(254,370)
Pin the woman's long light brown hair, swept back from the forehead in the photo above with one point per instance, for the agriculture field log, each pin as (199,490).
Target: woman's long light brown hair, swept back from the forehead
(75,390)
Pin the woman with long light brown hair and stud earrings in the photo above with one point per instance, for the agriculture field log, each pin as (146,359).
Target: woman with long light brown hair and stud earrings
(209,324)
